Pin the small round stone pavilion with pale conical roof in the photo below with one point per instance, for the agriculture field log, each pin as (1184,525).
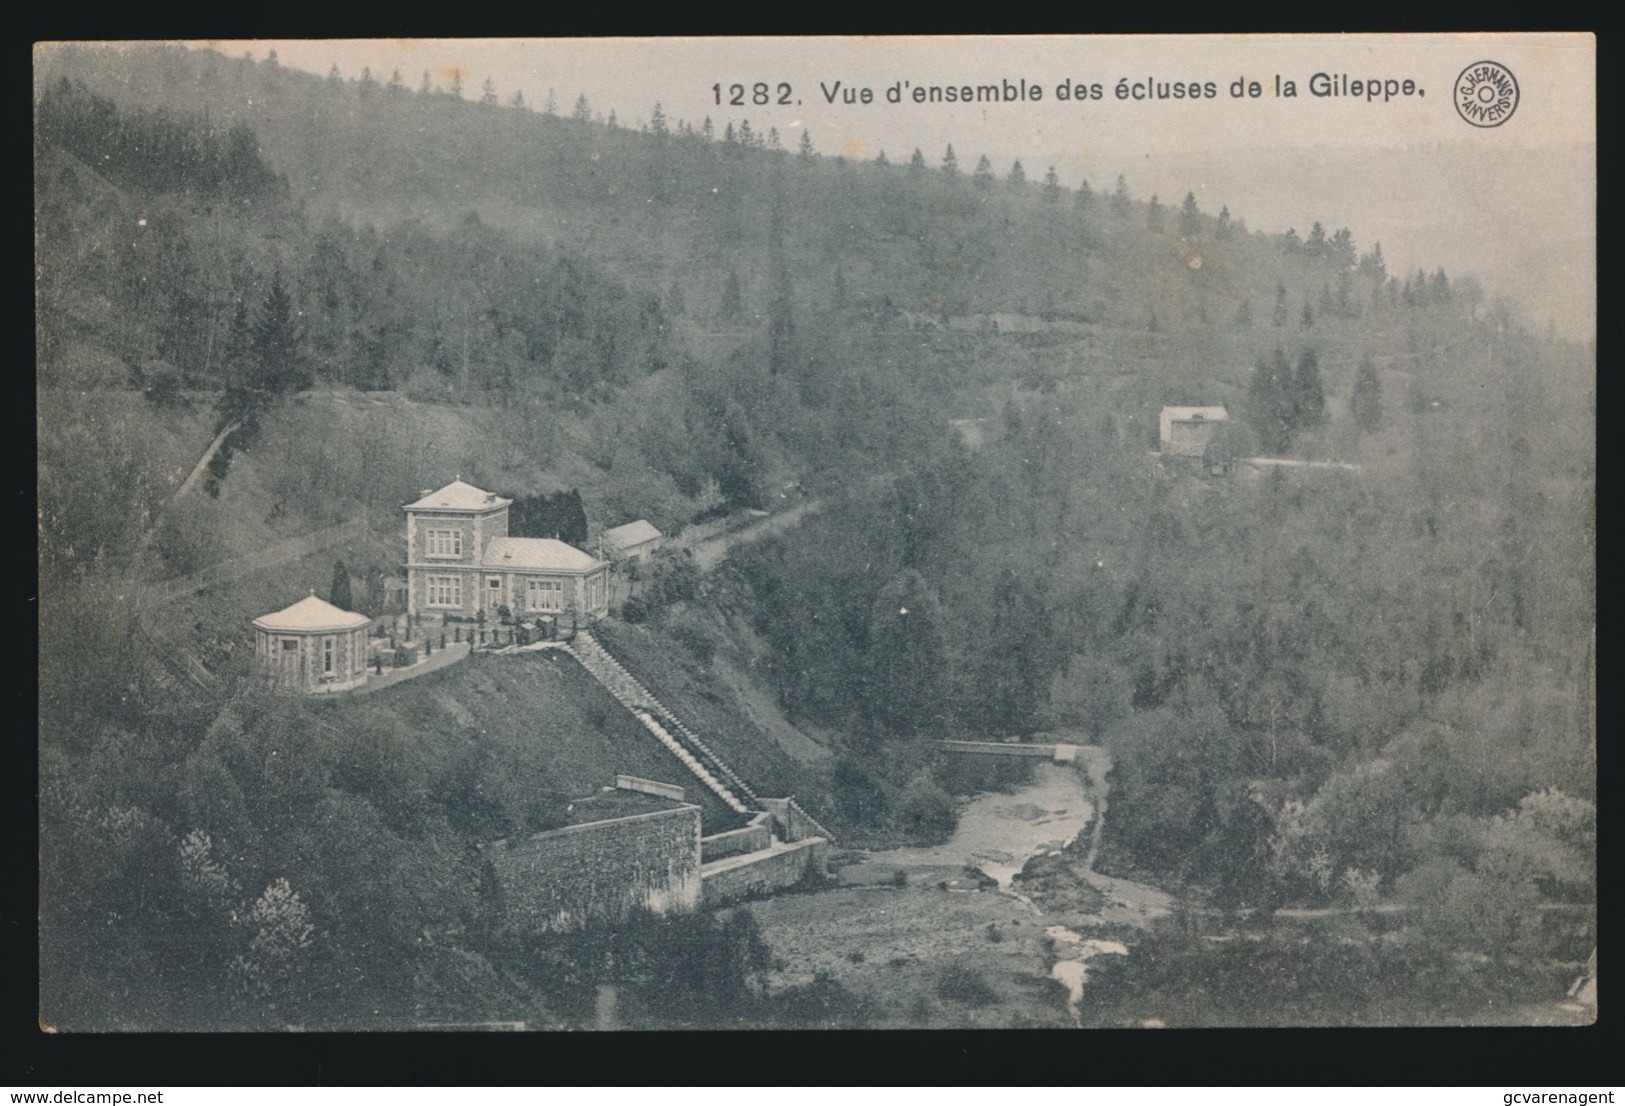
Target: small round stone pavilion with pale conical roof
(313,647)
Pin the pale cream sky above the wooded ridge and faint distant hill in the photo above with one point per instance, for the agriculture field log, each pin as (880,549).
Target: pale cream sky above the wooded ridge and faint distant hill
(1556,77)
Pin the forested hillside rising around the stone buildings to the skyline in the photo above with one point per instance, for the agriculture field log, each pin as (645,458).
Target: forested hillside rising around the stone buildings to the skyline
(1322,686)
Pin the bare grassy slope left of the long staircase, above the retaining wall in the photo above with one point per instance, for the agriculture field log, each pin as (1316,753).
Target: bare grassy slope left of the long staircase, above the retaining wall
(544,720)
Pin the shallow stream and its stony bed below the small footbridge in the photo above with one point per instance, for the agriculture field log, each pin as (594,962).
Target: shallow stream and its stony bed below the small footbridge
(986,931)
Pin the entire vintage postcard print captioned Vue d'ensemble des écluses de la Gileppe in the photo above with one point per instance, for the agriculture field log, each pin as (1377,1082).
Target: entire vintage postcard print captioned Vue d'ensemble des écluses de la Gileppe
(878,534)
